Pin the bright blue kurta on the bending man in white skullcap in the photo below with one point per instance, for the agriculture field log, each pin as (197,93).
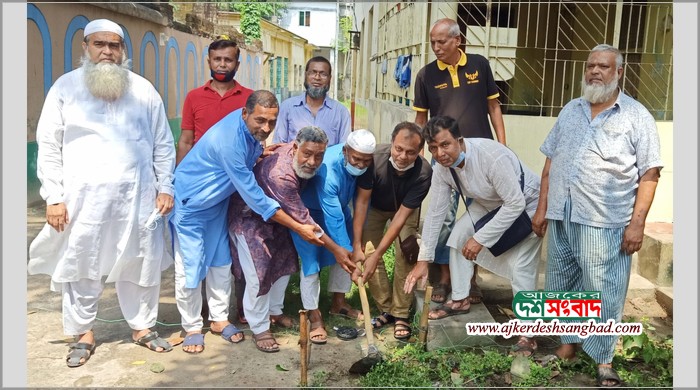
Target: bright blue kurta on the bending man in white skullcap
(328,196)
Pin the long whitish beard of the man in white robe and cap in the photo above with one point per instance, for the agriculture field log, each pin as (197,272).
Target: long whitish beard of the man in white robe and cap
(108,81)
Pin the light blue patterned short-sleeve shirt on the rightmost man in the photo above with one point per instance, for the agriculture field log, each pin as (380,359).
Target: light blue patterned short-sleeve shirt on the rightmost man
(598,162)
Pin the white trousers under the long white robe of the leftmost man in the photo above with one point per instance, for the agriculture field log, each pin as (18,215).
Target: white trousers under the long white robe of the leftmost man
(139,304)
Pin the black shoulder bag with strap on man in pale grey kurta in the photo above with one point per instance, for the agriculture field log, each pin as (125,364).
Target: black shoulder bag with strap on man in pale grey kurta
(521,227)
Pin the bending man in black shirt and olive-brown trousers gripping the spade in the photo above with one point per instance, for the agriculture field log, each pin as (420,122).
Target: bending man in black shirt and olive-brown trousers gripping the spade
(392,194)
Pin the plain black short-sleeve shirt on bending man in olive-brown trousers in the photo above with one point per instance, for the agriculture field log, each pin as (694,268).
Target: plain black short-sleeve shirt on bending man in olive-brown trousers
(390,190)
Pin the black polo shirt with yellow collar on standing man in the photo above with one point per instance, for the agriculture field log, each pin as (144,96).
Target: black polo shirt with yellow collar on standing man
(461,92)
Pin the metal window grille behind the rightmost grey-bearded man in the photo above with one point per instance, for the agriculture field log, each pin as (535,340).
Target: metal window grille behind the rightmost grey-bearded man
(538,49)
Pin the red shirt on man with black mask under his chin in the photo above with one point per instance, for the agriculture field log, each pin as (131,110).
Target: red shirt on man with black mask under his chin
(204,107)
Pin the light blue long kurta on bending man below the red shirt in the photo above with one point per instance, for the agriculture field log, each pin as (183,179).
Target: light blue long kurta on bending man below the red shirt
(218,165)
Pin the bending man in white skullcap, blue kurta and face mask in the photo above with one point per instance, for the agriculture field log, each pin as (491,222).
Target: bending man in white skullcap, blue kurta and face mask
(328,197)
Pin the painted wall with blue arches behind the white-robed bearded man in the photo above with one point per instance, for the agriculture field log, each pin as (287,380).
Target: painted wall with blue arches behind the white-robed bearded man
(174,61)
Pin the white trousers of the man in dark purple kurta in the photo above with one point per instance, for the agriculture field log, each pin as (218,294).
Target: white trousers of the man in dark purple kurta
(258,309)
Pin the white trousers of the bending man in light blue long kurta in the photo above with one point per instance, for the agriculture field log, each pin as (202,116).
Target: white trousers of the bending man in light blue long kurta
(189,300)
